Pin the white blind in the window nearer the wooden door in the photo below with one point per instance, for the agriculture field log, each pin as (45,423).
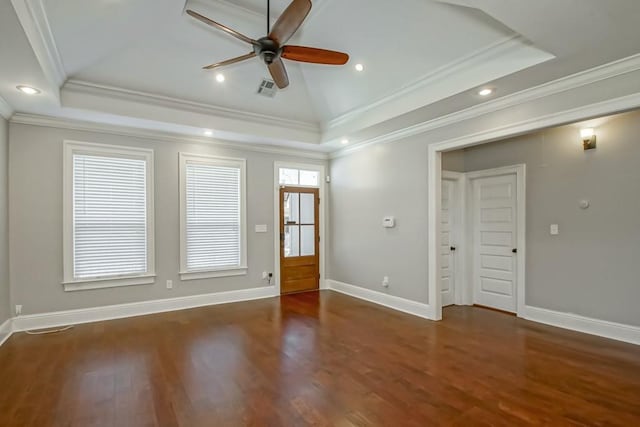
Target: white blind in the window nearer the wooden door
(213,228)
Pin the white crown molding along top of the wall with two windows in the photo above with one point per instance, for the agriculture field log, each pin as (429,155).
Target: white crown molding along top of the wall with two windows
(156,135)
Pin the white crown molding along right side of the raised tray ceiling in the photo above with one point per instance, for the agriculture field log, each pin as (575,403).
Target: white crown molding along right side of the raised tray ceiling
(445,72)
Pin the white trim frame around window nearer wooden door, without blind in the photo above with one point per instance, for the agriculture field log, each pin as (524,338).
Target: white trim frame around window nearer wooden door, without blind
(239,270)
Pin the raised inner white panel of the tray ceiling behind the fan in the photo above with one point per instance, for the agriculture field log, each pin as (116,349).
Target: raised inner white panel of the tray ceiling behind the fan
(118,44)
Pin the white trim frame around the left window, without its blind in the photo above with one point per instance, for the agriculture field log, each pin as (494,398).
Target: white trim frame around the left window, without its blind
(70,283)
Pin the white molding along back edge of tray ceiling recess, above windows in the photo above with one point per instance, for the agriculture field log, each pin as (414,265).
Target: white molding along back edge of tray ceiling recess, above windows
(82,87)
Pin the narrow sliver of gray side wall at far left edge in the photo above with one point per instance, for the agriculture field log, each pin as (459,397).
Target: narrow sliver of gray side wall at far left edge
(5,301)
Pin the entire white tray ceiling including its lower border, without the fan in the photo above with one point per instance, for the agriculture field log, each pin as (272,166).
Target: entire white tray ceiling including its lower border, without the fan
(138,62)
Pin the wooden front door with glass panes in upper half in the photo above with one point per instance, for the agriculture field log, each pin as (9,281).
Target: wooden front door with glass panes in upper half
(299,239)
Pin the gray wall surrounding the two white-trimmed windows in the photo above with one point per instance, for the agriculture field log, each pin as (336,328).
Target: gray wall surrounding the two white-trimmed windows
(35,217)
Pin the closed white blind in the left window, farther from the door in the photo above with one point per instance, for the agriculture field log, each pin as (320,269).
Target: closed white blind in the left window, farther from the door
(109,216)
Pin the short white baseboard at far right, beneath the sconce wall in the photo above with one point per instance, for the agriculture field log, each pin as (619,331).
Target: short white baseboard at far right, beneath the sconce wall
(603,328)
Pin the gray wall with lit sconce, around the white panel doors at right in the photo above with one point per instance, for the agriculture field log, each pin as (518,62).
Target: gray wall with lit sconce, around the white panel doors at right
(592,267)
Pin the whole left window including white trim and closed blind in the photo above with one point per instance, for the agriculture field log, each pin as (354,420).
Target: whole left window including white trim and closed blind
(108,216)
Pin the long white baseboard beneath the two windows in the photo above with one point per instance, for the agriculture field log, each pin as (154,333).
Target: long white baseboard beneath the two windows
(96,314)
